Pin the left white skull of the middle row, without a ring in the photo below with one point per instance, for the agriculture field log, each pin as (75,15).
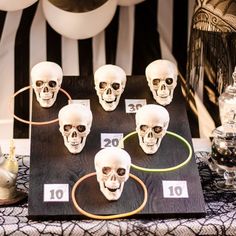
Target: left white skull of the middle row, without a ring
(75,121)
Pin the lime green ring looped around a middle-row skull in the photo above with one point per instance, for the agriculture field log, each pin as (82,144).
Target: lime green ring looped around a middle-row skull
(163,169)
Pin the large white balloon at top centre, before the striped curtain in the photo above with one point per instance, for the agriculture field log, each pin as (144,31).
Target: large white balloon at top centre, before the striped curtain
(79,25)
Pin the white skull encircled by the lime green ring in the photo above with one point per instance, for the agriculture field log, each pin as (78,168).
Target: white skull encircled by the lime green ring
(151,124)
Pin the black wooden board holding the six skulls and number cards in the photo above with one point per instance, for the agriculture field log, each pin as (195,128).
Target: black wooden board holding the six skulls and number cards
(51,162)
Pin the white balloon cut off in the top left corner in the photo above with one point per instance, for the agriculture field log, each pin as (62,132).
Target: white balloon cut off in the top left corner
(13,5)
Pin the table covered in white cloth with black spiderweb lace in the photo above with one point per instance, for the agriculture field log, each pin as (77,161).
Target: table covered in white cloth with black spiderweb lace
(219,220)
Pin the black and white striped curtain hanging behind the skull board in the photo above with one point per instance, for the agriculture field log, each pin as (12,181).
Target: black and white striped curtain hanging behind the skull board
(137,35)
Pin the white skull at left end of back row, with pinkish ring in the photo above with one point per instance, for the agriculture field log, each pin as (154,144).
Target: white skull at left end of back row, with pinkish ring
(46,81)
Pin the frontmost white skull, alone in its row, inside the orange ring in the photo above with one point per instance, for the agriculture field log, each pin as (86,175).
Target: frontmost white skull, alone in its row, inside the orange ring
(112,166)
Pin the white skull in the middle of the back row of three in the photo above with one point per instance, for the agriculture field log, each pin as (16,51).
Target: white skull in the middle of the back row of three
(110,83)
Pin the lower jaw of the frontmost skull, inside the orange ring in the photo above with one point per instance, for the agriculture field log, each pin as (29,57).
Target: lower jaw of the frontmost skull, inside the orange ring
(111,193)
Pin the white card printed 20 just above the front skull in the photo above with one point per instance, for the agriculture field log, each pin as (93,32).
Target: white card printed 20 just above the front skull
(111,140)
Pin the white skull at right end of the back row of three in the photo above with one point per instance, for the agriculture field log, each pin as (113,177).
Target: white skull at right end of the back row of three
(162,80)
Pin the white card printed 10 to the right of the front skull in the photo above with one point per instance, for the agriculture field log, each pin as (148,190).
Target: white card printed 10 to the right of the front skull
(175,189)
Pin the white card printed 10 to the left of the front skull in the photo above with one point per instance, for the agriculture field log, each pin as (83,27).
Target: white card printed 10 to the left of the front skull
(56,193)
